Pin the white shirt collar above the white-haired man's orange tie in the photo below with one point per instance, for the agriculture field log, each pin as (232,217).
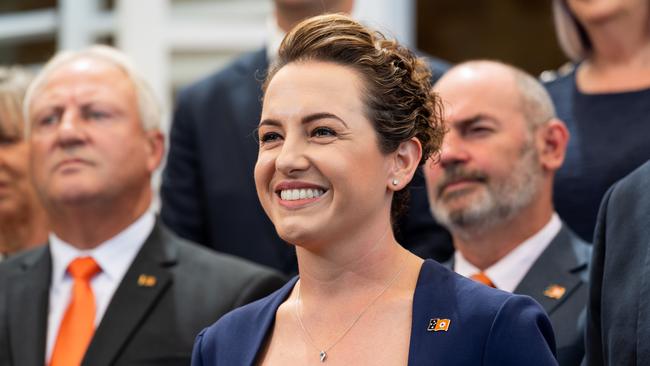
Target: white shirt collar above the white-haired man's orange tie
(113,256)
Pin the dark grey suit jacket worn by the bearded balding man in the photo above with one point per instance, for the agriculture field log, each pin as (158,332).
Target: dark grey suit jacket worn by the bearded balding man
(563,263)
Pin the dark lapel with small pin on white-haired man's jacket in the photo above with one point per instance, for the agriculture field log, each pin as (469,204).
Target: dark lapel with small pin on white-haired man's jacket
(134,298)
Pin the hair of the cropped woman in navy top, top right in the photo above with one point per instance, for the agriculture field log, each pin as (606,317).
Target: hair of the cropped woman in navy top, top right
(571,35)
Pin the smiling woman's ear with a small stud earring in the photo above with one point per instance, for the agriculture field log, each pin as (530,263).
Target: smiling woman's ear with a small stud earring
(404,164)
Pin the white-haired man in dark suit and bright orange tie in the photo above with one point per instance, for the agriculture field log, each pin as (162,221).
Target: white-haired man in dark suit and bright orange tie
(113,286)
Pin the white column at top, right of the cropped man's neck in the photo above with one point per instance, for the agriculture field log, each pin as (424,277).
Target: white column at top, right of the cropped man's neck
(395,18)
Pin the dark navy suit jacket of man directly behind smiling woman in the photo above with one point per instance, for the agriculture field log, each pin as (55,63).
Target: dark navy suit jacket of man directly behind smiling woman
(208,191)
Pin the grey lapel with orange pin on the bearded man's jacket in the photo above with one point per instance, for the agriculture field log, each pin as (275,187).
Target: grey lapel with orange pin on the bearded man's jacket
(562,265)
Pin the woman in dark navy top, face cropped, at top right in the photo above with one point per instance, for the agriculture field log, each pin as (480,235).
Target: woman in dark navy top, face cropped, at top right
(604,99)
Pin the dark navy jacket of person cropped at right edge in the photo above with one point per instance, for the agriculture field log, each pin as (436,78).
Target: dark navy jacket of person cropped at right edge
(618,315)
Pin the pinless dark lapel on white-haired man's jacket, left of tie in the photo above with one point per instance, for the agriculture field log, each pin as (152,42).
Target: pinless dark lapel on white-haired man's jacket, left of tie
(28,308)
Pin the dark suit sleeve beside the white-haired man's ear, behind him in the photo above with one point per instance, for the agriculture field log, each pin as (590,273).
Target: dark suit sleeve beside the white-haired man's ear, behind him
(183,208)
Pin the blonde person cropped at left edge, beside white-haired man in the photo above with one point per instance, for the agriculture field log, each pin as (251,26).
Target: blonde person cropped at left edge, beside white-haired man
(22,220)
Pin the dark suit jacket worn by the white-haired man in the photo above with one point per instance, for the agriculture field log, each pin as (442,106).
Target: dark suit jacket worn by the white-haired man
(153,325)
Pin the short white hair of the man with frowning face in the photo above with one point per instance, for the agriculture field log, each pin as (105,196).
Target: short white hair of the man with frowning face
(148,106)
